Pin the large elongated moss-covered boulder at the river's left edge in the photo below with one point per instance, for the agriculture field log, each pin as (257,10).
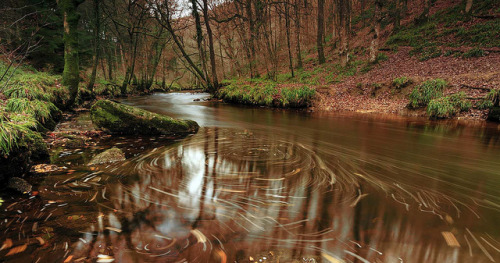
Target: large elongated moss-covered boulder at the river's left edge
(123,119)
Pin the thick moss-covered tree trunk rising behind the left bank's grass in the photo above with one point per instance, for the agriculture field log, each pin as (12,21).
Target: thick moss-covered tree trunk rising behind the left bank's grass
(71,73)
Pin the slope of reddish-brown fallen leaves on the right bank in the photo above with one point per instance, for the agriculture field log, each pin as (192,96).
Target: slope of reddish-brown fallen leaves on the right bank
(373,92)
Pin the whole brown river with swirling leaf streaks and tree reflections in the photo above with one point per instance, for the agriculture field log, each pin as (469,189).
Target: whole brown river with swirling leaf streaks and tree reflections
(264,185)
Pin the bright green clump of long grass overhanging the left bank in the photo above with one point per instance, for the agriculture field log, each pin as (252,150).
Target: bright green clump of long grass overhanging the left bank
(28,106)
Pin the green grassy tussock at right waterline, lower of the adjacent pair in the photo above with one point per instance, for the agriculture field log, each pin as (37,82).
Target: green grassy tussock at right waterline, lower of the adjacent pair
(449,106)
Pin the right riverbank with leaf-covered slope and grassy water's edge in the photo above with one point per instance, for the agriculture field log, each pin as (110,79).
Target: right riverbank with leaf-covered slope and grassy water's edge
(385,88)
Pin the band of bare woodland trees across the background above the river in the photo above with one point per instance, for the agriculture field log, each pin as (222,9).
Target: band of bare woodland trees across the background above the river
(147,42)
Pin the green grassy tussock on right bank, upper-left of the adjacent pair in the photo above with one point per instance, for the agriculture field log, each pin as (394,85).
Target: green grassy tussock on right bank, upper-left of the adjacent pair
(426,91)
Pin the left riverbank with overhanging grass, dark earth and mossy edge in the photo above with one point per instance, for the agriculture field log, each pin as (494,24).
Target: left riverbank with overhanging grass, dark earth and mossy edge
(31,105)
